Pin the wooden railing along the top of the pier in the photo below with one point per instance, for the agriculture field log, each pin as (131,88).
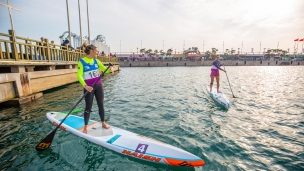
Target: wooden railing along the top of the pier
(17,48)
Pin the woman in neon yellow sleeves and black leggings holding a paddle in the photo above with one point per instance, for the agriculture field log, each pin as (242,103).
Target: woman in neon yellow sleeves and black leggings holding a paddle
(88,73)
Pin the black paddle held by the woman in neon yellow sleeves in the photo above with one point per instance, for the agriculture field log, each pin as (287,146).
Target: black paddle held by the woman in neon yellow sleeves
(47,141)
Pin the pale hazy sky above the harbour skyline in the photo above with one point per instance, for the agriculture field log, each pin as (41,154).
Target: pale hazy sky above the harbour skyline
(173,22)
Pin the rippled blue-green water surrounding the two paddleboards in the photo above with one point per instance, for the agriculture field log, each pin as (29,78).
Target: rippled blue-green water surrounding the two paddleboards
(263,129)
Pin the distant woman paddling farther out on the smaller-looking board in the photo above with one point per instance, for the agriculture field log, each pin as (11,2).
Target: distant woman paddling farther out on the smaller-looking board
(215,72)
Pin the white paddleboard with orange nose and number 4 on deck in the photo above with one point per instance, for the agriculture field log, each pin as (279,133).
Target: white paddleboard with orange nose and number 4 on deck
(125,142)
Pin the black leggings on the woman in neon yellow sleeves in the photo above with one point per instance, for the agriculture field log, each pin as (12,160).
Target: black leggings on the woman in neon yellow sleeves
(98,92)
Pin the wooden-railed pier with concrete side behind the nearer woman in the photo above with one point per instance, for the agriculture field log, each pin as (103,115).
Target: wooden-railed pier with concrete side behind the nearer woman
(27,68)
